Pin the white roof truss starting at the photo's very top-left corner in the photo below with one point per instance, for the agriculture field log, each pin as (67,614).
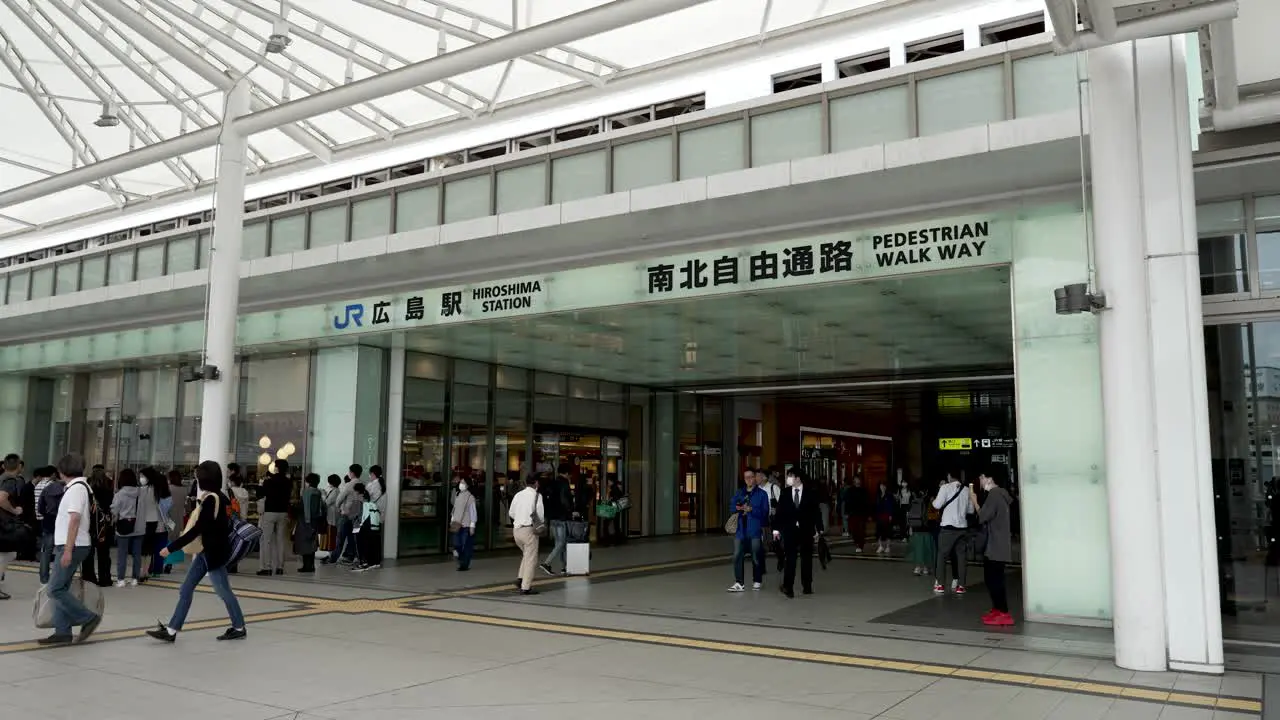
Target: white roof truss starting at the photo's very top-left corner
(93,78)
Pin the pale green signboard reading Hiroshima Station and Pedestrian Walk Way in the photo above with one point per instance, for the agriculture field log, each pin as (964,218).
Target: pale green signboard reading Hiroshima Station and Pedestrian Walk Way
(844,257)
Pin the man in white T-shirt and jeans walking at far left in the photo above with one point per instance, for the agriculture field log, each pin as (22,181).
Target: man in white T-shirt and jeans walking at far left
(72,546)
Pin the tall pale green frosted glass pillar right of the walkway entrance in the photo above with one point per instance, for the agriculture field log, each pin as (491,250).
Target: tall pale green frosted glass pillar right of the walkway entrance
(1060,443)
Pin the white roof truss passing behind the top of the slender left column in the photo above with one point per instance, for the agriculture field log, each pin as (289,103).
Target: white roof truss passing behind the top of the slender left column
(147,69)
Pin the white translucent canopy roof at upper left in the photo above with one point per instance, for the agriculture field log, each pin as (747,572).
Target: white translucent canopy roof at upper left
(70,69)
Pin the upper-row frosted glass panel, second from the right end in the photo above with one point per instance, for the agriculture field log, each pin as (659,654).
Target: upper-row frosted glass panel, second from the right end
(962,101)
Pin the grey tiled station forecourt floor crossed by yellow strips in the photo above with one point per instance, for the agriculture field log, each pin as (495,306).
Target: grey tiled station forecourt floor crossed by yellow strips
(653,634)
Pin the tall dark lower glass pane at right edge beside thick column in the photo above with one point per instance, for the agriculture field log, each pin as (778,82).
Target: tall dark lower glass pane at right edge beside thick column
(1244,370)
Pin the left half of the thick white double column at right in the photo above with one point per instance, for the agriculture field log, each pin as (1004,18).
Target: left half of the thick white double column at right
(1137,571)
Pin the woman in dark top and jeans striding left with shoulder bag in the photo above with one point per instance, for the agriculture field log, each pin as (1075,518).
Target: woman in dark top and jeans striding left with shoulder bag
(208,539)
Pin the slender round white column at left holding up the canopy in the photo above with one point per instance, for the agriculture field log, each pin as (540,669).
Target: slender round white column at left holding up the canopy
(220,397)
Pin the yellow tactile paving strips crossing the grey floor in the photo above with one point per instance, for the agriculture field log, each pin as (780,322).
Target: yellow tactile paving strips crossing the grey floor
(406,607)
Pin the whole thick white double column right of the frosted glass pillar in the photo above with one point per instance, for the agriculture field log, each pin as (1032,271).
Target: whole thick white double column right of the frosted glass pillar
(1159,481)
